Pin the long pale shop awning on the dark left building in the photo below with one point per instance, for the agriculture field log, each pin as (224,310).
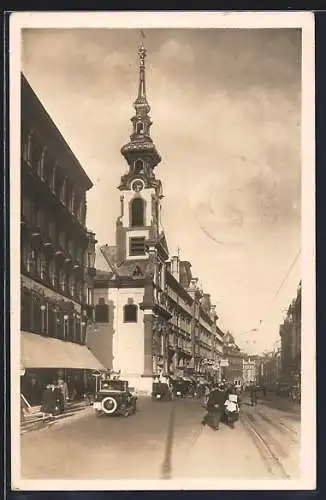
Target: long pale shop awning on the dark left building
(46,352)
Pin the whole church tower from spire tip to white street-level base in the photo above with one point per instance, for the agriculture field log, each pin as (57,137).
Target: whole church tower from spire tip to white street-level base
(135,285)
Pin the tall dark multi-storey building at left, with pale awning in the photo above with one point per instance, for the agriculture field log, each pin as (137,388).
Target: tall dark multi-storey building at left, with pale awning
(57,255)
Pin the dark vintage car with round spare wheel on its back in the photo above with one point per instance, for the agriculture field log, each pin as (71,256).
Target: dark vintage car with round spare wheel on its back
(114,398)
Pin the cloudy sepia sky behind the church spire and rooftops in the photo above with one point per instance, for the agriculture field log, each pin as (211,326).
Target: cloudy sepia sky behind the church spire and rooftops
(226,112)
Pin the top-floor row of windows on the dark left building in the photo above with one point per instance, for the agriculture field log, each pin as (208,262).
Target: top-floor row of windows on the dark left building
(36,154)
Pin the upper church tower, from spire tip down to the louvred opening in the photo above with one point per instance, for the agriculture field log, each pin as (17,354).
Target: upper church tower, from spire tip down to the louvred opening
(141,192)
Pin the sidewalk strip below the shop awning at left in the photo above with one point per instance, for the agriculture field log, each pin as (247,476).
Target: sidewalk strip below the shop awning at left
(33,420)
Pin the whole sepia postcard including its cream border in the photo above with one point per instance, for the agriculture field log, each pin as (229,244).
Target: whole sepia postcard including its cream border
(162,251)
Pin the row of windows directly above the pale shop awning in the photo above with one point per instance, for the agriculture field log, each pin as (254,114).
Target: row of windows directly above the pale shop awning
(49,319)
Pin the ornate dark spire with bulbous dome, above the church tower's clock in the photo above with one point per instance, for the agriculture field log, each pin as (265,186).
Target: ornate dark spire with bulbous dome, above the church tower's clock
(140,152)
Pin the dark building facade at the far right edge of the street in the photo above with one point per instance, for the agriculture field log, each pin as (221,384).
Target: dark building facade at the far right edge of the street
(290,333)
